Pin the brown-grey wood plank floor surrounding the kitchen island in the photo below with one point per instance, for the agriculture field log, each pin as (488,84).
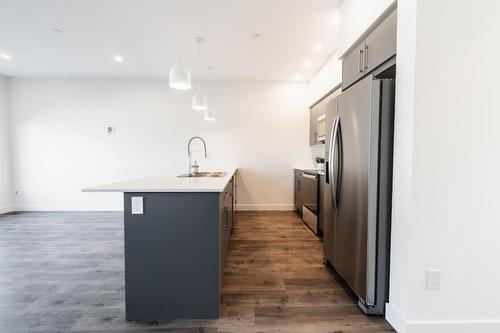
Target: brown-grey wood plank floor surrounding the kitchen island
(63,272)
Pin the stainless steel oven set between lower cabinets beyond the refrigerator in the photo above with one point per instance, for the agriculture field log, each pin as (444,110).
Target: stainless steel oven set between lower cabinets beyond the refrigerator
(310,200)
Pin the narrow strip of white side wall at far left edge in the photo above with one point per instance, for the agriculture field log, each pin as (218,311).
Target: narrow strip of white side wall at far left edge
(5,175)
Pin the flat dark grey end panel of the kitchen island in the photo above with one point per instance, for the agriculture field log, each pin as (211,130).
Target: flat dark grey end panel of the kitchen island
(172,256)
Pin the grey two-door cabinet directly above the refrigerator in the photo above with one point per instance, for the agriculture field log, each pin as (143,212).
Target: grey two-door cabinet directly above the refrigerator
(377,46)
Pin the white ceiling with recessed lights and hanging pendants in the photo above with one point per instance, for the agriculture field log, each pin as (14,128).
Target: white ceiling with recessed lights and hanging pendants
(149,33)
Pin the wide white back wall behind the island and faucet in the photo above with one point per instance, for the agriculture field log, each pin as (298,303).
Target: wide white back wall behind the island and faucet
(60,144)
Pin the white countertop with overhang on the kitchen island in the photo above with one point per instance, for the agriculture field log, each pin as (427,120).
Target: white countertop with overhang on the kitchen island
(168,183)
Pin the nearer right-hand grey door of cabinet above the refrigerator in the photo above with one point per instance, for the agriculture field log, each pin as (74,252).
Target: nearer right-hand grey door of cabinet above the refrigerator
(381,43)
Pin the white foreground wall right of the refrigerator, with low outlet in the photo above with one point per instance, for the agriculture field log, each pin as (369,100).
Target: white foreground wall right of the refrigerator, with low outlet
(445,213)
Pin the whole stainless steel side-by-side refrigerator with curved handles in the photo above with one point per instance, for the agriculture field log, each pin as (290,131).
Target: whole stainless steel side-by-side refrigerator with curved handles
(357,199)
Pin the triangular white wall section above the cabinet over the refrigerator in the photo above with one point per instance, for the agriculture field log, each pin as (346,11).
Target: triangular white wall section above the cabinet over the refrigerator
(357,16)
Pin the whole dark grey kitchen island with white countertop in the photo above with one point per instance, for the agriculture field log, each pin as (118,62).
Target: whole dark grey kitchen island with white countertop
(176,237)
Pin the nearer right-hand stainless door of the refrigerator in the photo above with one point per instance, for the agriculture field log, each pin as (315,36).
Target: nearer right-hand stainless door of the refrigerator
(354,250)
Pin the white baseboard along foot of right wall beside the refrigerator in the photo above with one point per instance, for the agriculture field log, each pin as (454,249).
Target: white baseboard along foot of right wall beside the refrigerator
(401,325)
